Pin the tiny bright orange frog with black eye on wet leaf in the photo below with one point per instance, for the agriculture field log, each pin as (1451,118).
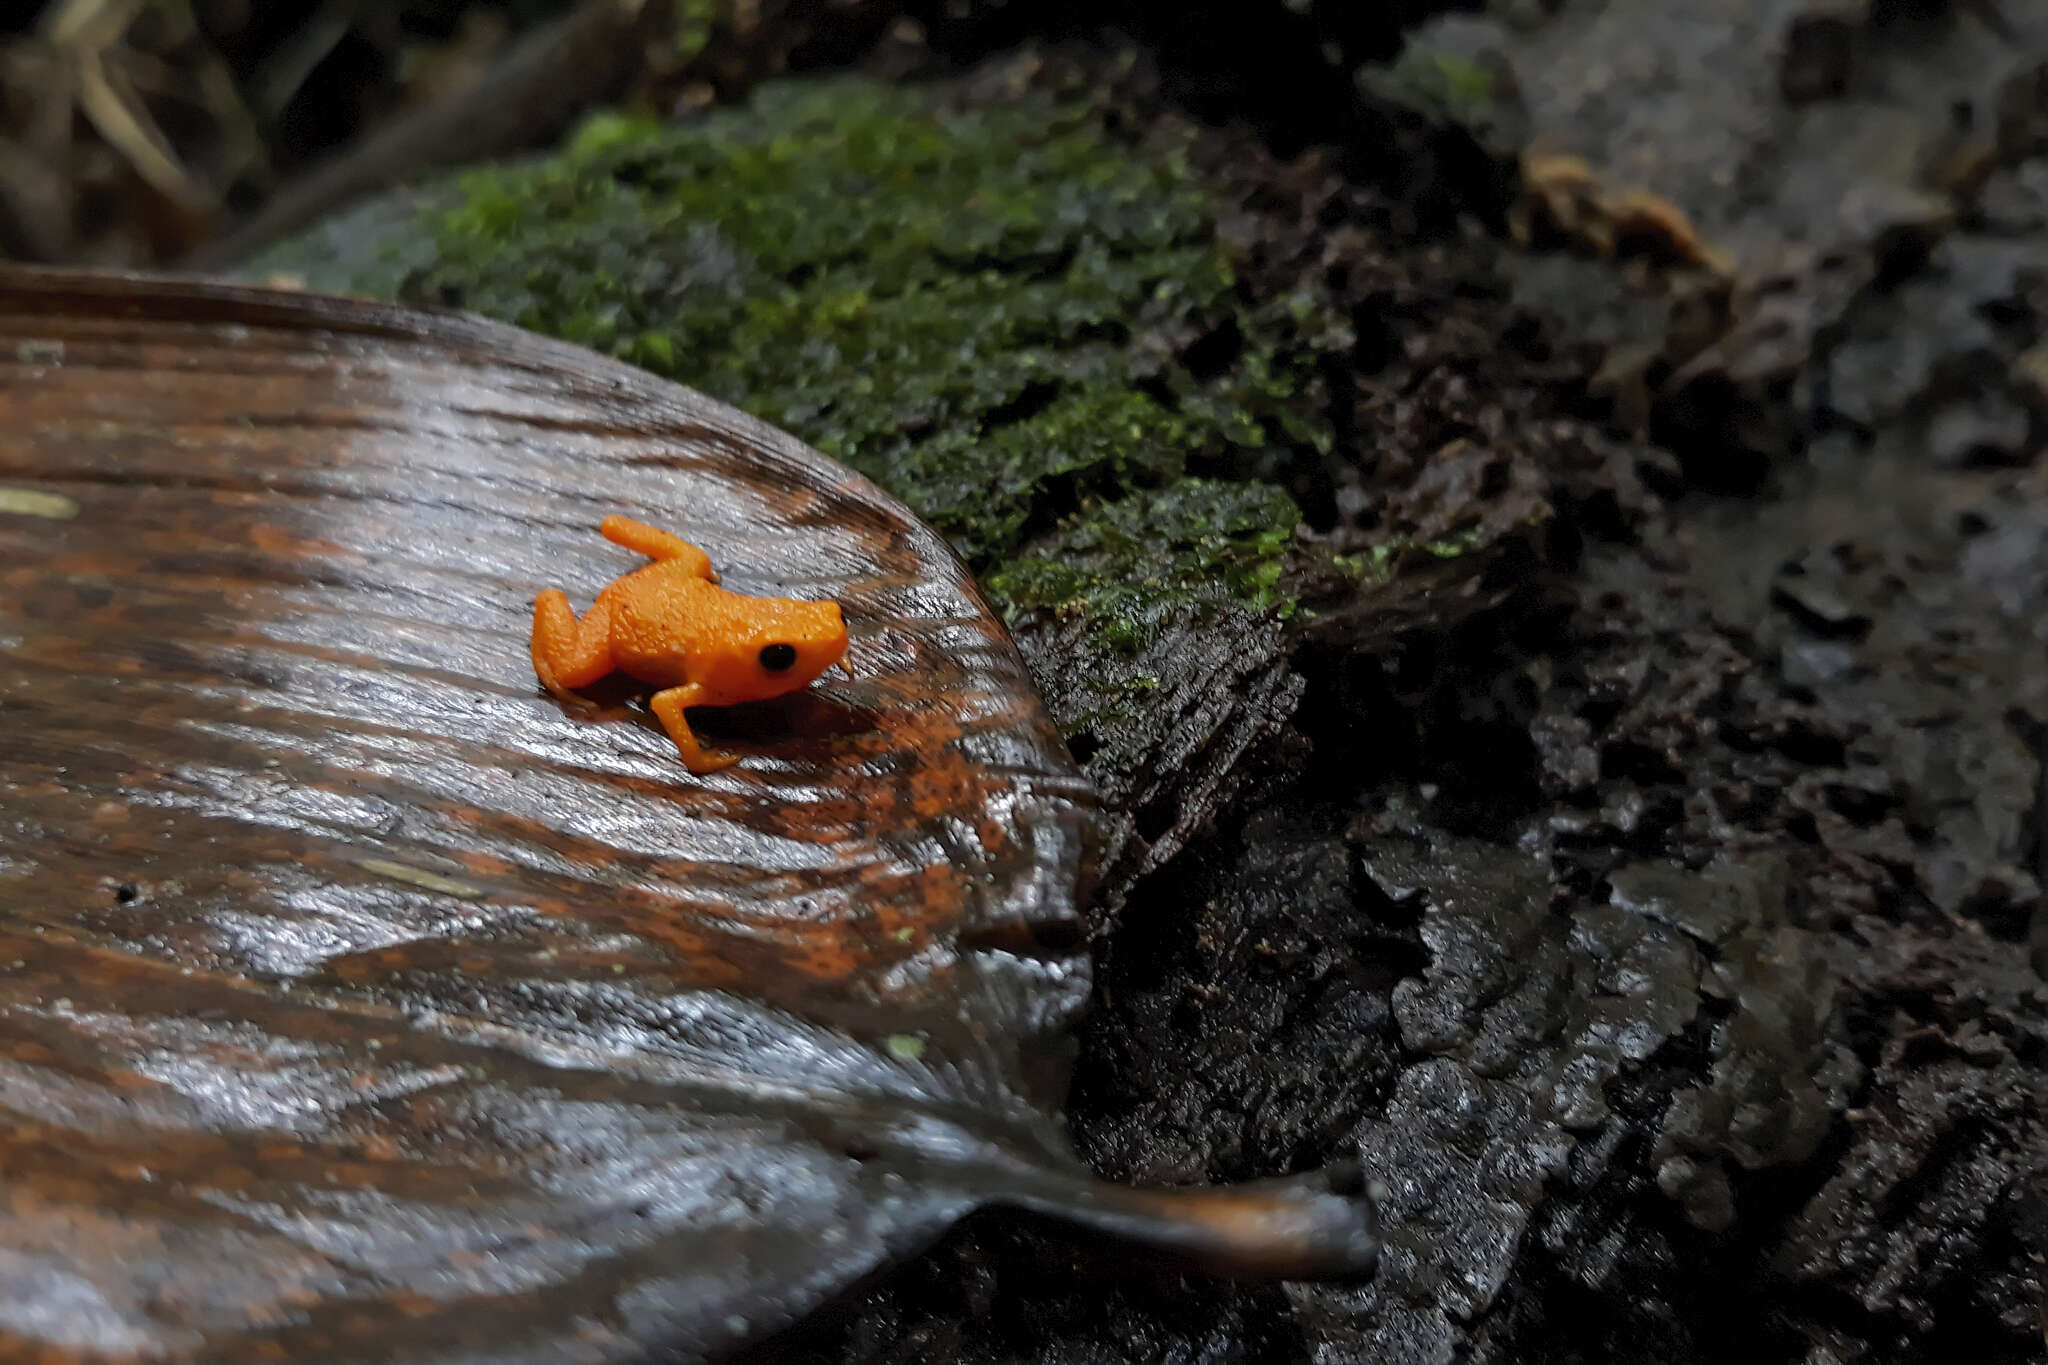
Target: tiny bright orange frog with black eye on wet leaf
(671,625)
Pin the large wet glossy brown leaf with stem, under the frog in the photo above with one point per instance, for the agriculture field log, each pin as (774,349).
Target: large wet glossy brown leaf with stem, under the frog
(357,1002)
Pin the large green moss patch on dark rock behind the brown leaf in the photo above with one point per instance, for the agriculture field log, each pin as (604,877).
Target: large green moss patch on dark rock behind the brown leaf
(988,310)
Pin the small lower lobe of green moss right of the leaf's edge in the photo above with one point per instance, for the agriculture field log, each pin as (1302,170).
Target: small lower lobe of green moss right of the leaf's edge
(1134,564)
